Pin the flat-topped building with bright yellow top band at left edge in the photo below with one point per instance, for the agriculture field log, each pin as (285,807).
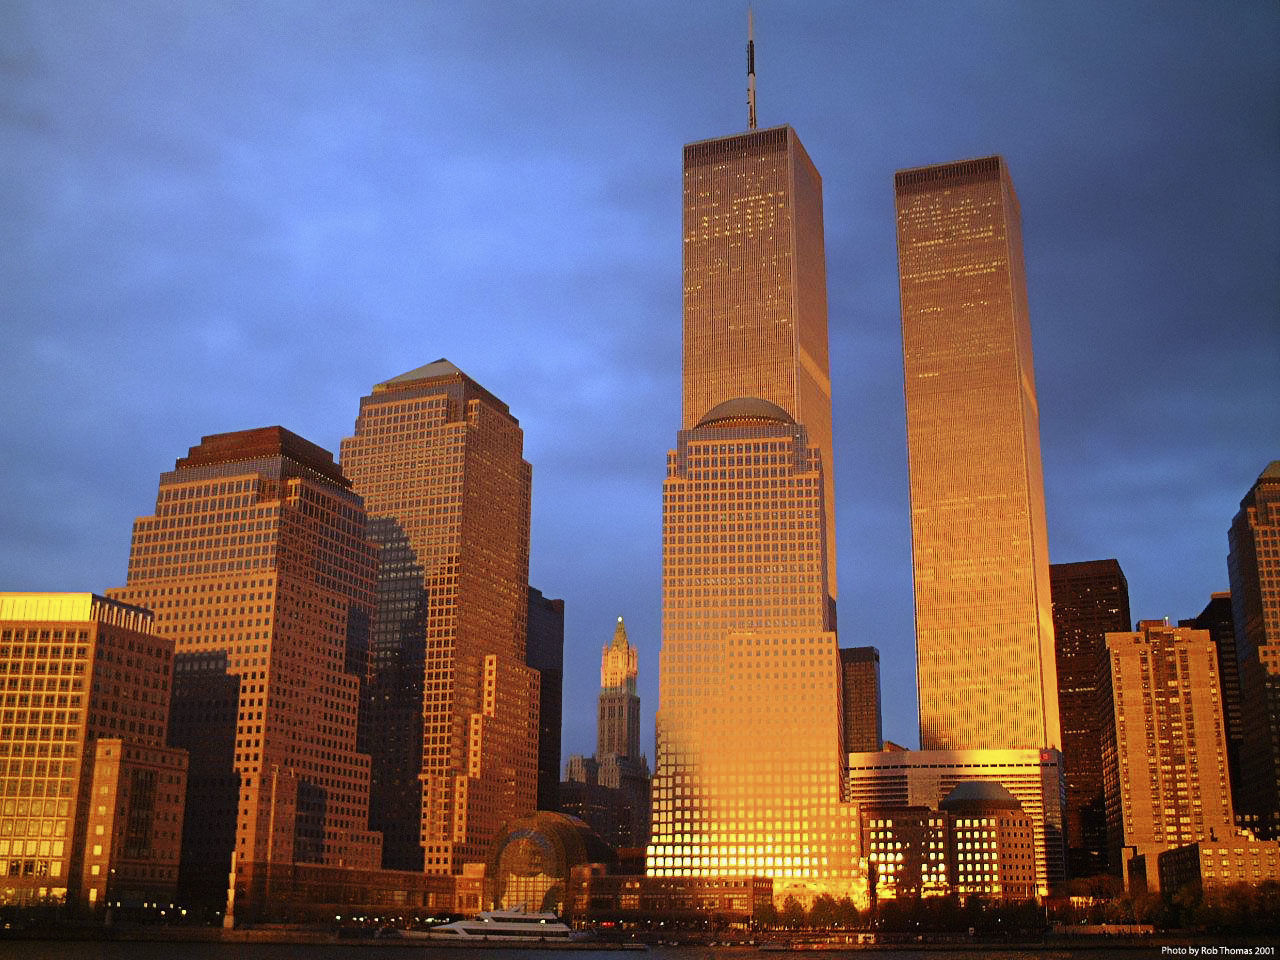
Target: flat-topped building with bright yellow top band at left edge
(92,799)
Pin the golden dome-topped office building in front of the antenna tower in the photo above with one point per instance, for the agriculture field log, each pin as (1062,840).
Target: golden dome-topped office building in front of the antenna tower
(749,766)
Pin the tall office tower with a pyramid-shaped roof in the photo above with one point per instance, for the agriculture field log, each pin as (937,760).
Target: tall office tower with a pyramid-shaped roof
(440,463)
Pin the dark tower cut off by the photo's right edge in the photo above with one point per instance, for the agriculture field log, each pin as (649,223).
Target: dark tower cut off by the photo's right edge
(1254,565)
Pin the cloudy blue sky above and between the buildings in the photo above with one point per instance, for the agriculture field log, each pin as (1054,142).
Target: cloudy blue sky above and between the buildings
(220,217)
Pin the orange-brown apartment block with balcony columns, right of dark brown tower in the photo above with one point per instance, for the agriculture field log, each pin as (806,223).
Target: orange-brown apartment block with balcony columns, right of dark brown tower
(1167,774)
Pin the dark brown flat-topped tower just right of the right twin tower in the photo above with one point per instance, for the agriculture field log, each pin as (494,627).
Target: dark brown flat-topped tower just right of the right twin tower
(1091,600)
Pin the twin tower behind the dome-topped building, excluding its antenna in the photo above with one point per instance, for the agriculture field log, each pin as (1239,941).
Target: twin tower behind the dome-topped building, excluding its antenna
(756,287)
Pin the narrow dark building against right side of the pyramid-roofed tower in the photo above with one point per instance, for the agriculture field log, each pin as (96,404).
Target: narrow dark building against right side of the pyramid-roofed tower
(545,652)
